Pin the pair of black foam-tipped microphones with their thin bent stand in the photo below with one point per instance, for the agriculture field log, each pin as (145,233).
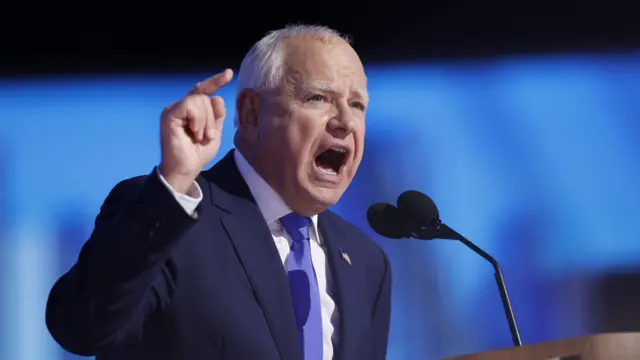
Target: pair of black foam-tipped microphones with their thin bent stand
(417,217)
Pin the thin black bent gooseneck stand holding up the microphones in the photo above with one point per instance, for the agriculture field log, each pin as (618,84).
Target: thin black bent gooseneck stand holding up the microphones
(442,231)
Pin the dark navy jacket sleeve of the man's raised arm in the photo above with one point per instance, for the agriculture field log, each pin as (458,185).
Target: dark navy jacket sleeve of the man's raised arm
(124,270)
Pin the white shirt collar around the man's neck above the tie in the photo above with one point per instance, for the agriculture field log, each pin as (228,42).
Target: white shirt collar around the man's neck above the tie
(268,200)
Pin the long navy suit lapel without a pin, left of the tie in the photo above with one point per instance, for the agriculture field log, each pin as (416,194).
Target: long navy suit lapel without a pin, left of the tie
(254,245)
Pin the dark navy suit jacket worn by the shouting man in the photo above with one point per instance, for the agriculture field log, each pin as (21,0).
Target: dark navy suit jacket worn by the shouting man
(153,282)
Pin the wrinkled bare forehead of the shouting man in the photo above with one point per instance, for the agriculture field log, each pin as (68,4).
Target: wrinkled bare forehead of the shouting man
(323,65)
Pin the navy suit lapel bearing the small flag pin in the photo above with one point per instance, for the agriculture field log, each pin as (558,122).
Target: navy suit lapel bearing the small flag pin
(348,281)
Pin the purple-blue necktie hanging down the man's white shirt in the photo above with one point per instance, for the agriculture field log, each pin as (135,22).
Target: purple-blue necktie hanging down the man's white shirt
(304,286)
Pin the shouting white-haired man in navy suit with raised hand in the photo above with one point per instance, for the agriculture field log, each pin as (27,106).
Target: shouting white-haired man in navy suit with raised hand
(241,261)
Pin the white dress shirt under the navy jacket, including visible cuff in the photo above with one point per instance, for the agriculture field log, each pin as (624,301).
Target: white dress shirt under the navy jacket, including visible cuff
(273,208)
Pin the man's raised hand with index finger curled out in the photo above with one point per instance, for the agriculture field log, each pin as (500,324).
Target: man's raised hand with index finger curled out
(191,130)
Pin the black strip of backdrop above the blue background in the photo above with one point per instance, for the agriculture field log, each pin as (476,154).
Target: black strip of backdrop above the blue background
(129,36)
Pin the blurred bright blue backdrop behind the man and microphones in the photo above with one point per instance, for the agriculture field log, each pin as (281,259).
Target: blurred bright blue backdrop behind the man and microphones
(536,159)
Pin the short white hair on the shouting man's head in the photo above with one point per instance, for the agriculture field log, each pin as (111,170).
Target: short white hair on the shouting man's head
(262,67)
